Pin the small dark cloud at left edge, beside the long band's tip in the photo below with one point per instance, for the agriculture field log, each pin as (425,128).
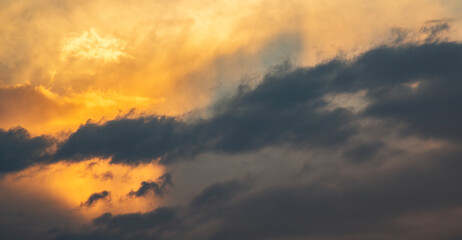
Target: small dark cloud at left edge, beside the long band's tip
(18,150)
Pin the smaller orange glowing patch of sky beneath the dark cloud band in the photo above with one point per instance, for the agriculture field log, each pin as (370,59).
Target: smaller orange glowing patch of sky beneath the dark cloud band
(72,183)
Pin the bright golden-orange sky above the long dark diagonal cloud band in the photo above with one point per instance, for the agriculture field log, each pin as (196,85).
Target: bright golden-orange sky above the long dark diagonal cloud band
(99,59)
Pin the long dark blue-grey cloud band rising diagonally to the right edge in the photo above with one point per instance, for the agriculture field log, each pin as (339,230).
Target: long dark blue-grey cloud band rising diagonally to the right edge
(286,108)
